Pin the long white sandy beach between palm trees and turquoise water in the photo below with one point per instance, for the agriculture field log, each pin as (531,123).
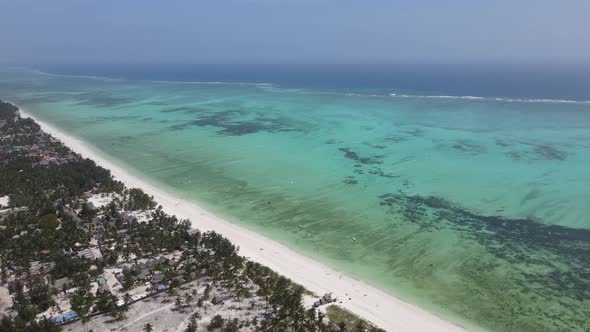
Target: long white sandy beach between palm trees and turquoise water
(373,304)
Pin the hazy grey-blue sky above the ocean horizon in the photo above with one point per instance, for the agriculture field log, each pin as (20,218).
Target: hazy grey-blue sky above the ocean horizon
(202,31)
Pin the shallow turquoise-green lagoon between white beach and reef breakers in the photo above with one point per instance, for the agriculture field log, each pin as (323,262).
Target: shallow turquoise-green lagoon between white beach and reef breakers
(475,208)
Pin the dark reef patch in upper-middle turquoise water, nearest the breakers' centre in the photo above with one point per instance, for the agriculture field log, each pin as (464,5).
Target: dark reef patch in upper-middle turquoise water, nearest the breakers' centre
(239,122)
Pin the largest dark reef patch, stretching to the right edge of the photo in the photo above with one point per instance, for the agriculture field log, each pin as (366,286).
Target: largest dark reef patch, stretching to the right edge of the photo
(520,242)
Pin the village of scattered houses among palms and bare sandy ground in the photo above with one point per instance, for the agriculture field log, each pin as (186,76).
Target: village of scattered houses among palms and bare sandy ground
(122,277)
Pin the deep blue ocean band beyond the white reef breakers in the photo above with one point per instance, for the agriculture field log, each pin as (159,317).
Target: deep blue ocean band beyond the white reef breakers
(498,80)
